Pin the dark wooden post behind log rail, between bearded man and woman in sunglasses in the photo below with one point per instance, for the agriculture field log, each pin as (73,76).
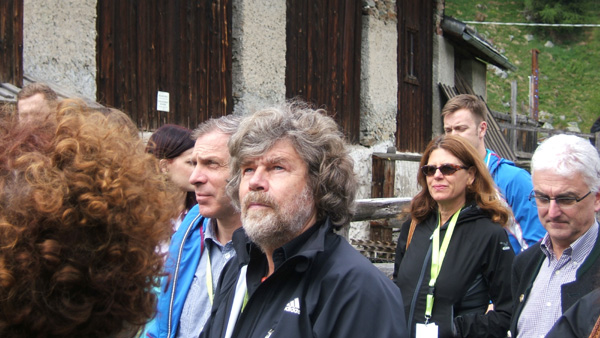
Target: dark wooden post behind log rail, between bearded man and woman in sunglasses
(382,185)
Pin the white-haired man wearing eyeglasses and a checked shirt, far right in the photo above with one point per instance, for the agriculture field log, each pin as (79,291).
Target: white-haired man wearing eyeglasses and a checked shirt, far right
(553,274)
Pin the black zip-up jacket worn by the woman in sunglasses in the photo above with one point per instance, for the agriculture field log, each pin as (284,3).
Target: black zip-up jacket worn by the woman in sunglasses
(476,269)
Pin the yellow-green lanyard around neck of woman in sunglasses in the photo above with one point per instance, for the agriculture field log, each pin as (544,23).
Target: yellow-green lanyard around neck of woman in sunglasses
(437,258)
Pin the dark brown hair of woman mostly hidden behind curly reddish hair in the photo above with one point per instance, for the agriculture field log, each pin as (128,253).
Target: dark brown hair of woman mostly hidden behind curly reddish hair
(169,141)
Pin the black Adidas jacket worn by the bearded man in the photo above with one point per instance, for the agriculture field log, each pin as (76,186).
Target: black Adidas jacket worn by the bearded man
(321,287)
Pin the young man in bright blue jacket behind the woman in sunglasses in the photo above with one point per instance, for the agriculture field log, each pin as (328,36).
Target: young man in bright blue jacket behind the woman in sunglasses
(464,115)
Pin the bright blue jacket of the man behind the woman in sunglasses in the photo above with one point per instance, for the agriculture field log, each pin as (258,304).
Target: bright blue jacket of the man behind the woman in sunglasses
(515,186)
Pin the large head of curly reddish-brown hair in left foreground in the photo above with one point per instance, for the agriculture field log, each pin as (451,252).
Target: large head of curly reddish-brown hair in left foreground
(82,209)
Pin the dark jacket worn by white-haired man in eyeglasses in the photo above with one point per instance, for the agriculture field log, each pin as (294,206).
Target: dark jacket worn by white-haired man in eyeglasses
(525,270)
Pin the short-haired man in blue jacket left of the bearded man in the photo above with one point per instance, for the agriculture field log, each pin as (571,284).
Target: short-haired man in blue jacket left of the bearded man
(202,245)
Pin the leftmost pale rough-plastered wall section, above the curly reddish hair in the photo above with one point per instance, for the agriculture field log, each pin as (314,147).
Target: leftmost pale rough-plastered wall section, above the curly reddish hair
(59,44)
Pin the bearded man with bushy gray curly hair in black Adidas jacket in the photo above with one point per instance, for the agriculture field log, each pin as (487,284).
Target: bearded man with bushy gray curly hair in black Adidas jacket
(294,182)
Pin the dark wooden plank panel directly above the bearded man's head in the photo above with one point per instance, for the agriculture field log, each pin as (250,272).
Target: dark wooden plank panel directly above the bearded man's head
(323,40)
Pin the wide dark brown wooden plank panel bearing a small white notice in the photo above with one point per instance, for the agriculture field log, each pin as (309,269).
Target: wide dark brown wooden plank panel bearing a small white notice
(181,47)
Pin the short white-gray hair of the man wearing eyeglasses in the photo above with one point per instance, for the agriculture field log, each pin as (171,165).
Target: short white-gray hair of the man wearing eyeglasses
(567,155)
